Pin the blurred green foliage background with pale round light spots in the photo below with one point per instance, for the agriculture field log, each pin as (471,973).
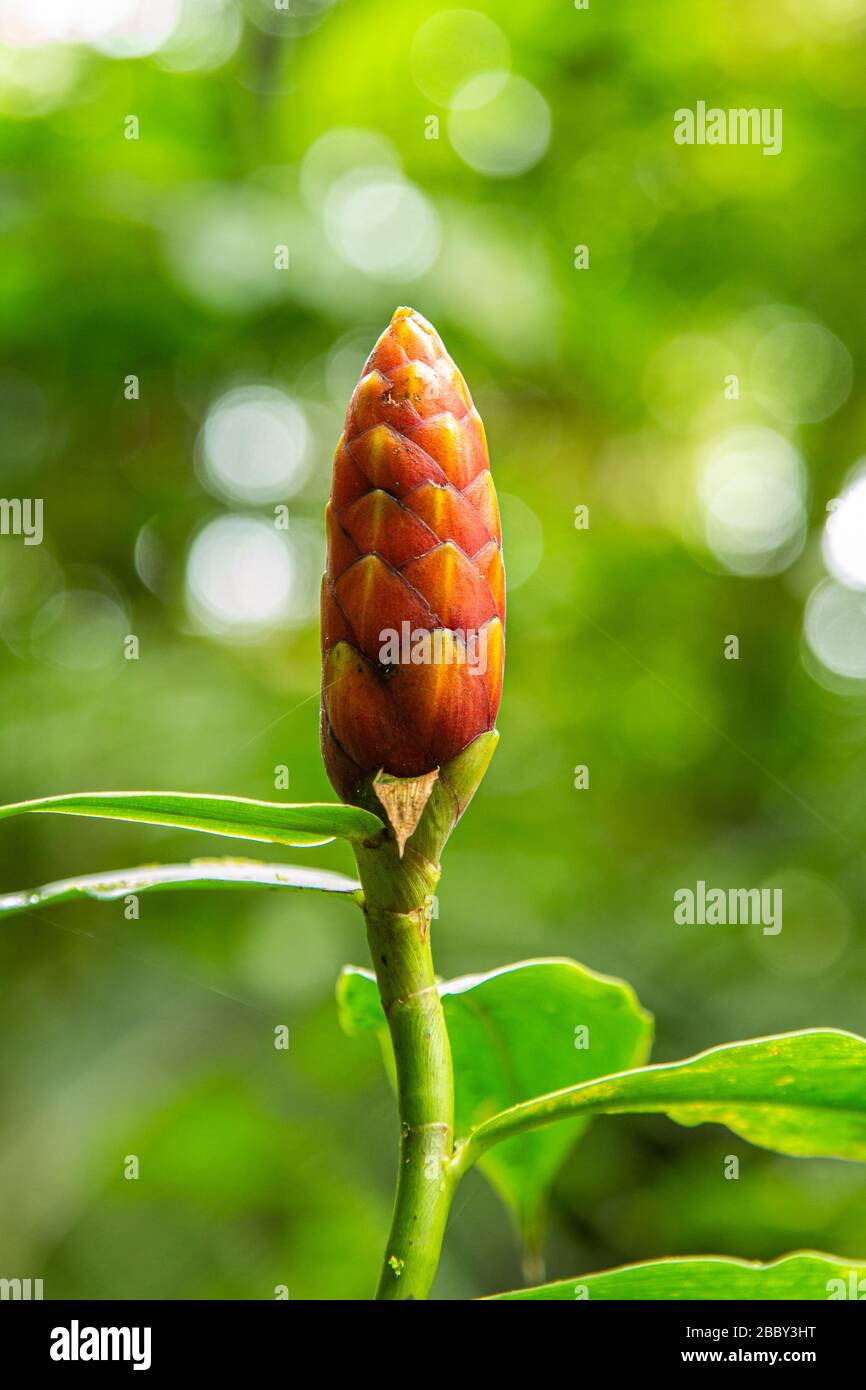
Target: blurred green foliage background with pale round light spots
(717,508)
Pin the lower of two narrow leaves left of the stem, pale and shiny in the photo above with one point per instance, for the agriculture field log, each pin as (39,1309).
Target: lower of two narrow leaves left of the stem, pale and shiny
(201,874)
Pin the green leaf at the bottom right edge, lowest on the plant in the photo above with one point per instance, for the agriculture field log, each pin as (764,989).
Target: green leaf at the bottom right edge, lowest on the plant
(804,1275)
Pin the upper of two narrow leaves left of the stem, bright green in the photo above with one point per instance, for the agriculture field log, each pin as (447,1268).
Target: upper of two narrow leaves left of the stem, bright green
(273,822)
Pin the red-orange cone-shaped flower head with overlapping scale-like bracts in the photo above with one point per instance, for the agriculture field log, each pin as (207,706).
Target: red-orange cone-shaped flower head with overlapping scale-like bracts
(414,597)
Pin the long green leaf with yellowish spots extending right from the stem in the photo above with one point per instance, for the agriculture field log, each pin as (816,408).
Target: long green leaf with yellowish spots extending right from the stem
(797,1093)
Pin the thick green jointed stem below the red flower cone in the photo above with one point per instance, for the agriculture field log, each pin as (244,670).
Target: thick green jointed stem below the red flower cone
(398,897)
